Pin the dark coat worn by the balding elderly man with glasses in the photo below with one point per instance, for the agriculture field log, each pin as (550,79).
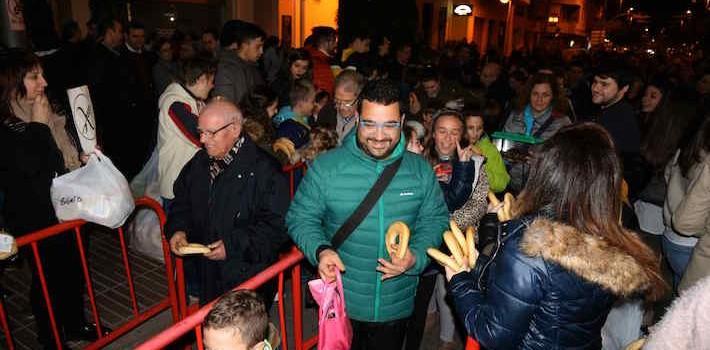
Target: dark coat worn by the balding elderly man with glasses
(244,207)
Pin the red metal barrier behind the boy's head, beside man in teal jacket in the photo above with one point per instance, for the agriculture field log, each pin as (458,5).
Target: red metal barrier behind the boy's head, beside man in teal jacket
(193,321)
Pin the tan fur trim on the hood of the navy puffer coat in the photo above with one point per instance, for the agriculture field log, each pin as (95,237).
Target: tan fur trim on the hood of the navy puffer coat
(589,257)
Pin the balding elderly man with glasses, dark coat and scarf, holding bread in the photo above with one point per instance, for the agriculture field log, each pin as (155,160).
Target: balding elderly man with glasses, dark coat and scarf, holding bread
(231,197)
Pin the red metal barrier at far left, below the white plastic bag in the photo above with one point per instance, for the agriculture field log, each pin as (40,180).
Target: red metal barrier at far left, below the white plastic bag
(169,302)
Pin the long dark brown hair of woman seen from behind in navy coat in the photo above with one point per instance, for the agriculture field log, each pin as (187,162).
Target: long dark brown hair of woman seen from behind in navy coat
(577,177)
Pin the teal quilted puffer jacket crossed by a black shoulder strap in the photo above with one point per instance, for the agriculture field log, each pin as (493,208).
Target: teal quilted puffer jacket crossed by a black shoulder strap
(331,190)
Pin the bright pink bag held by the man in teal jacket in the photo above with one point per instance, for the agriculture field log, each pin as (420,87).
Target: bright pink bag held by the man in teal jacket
(334,329)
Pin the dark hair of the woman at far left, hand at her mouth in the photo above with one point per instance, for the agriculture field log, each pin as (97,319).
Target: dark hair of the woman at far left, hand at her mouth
(15,64)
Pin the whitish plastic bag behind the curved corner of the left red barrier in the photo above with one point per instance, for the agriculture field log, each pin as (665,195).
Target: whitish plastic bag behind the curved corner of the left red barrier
(144,228)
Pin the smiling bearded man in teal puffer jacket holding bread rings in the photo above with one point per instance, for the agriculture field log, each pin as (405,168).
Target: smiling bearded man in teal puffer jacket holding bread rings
(379,289)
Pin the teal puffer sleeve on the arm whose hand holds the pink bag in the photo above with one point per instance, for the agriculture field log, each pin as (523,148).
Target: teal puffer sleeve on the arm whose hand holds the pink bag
(305,215)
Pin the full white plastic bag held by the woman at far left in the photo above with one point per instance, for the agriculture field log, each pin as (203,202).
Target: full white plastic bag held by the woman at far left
(96,192)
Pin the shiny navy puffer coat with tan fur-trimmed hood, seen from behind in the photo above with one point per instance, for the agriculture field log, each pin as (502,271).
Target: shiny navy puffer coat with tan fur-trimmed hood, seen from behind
(551,287)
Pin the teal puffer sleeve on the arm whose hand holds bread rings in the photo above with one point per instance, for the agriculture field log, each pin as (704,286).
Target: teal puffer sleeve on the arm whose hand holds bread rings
(432,220)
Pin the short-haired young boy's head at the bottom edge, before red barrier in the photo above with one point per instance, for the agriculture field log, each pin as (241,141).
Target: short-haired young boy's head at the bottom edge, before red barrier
(238,321)
